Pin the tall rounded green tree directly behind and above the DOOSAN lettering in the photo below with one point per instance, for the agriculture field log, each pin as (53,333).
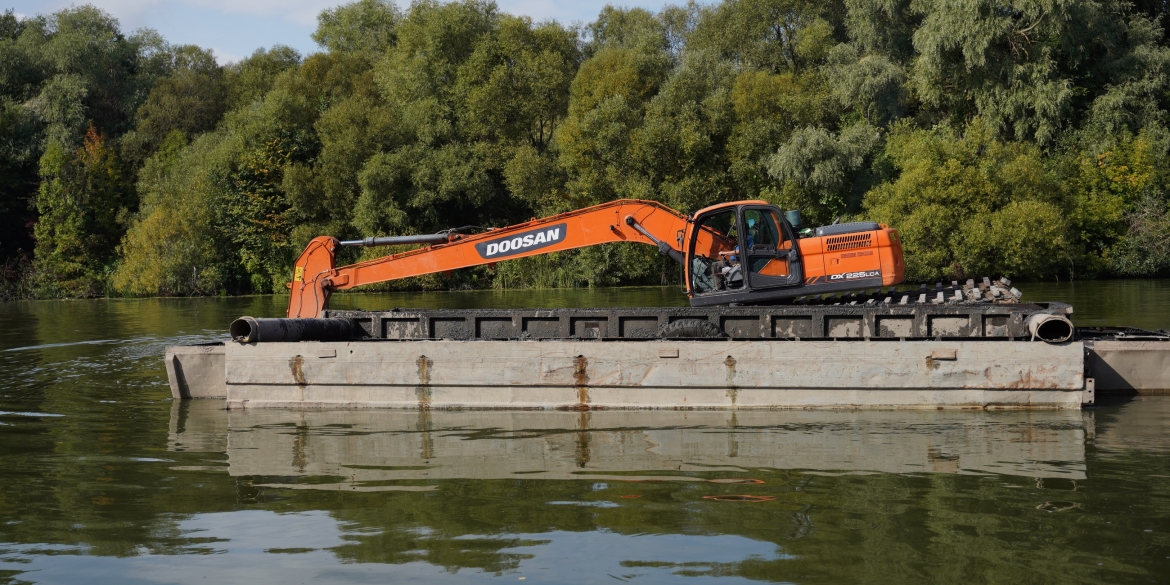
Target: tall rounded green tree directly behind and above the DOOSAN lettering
(476,92)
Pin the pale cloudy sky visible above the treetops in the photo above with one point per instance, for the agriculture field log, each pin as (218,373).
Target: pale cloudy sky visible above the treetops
(235,29)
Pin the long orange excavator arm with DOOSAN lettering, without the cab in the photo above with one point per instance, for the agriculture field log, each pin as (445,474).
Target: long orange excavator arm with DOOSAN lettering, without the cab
(315,276)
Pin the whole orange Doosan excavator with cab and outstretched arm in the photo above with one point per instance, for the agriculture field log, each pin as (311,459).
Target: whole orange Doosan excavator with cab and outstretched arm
(734,253)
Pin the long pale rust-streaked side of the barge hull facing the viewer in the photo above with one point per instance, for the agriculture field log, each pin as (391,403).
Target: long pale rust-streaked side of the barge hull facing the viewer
(701,375)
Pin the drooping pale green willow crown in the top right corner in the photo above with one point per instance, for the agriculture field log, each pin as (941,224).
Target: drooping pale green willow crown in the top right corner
(1030,68)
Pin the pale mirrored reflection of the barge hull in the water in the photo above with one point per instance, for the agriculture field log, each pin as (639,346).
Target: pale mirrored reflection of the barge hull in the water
(368,449)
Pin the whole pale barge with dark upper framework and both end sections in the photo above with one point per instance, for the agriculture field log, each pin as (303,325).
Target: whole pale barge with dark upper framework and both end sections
(868,356)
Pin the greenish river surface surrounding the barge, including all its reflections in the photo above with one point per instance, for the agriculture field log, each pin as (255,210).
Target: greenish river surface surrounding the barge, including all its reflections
(105,479)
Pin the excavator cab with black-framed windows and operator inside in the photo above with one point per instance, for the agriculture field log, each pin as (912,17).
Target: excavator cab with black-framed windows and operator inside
(741,253)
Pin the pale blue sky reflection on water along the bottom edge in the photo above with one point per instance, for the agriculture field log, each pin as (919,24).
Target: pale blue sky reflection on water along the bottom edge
(235,546)
